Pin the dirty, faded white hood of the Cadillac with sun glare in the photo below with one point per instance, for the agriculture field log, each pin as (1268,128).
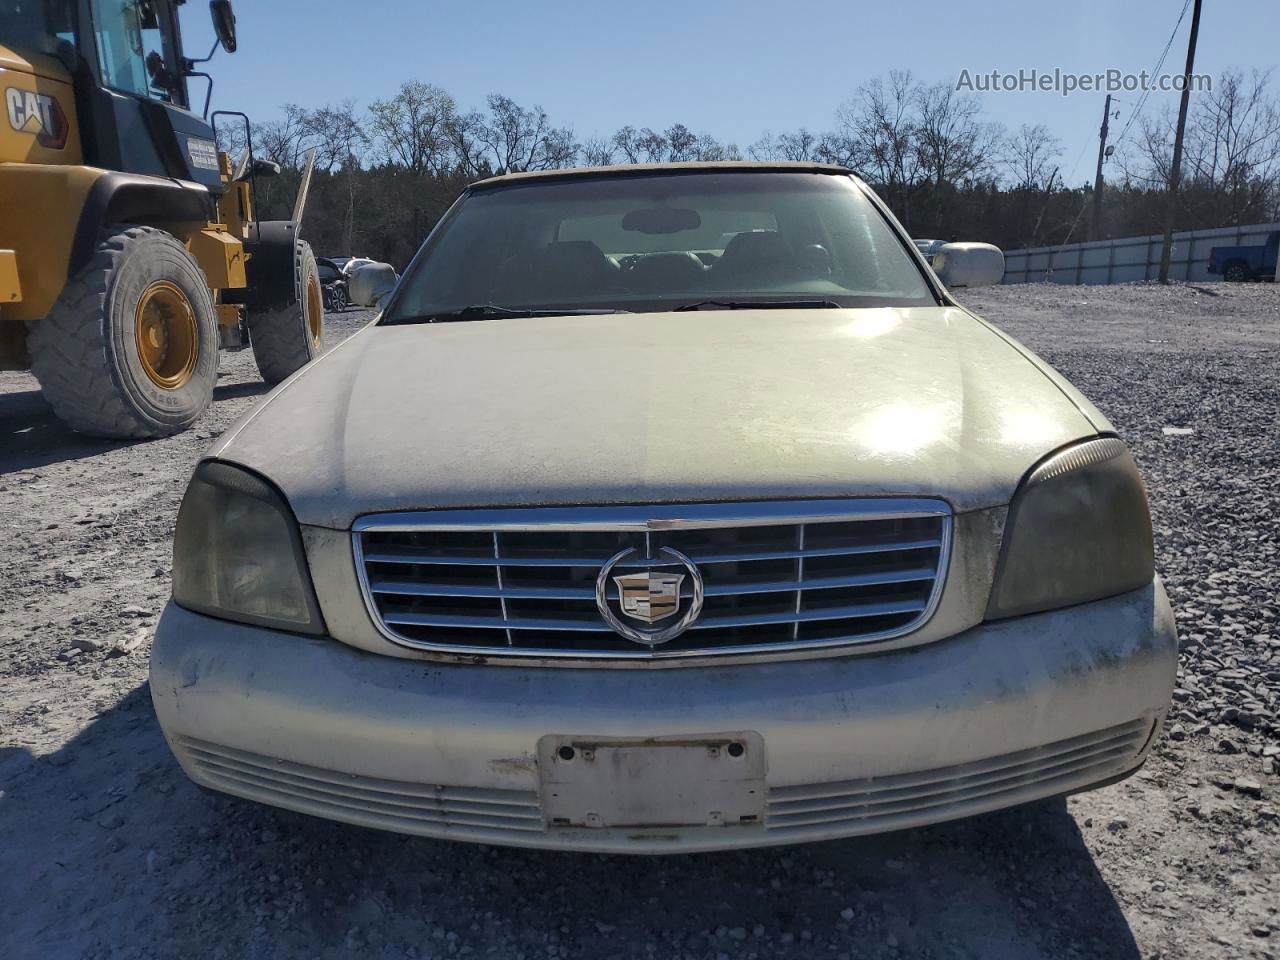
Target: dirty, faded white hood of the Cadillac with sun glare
(661,408)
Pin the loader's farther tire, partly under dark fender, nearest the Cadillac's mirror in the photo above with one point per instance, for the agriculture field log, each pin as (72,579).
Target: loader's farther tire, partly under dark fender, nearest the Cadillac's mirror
(289,339)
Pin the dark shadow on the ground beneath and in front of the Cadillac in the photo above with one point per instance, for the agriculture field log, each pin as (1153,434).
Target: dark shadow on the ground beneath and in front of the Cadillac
(111,852)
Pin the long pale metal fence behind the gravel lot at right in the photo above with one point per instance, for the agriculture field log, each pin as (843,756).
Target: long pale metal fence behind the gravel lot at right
(1130,259)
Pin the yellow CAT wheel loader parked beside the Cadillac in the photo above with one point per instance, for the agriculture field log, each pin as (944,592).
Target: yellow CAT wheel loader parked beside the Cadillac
(130,254)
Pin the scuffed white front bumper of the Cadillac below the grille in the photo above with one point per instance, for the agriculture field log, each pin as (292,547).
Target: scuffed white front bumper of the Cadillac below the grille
(998,716)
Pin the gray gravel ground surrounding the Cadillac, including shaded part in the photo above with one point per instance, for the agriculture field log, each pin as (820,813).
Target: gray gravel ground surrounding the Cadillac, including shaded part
(107,851)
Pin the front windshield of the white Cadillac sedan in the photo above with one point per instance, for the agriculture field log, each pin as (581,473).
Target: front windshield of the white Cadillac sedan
(657,243)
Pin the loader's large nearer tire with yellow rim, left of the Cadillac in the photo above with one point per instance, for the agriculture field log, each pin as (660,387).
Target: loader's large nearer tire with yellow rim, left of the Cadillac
(130,349)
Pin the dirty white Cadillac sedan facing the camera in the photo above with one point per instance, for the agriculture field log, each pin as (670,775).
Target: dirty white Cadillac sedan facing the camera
(668,509)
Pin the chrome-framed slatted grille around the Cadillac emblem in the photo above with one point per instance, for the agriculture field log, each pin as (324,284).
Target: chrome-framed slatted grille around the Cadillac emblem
(796,574)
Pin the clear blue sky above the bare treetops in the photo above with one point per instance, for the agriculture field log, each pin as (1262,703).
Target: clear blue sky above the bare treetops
(728,68)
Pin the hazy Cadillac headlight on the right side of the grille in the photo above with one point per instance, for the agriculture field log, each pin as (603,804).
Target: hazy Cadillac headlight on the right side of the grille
(1078,531)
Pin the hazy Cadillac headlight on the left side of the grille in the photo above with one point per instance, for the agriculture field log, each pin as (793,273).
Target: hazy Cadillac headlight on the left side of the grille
(237,554)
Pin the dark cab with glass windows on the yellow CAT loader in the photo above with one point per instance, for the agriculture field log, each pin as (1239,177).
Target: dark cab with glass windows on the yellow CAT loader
(130,76)
